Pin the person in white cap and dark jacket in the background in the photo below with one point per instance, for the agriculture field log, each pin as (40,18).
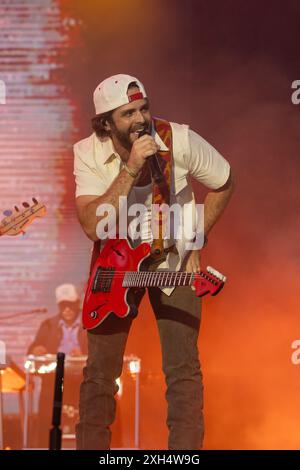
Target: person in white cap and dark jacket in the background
(60,333)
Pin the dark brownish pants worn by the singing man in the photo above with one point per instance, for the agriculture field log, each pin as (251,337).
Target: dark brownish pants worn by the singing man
(178,319)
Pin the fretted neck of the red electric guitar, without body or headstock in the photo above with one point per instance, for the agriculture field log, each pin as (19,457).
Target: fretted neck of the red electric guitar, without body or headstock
(159,279)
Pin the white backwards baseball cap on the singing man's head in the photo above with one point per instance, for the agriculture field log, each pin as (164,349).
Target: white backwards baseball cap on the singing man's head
(112,93)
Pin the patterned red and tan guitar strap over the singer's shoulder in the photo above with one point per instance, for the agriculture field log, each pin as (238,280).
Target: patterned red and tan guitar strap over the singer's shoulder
(161,191)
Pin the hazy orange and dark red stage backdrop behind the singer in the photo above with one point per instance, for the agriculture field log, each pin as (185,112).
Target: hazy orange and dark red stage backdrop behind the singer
(231,71)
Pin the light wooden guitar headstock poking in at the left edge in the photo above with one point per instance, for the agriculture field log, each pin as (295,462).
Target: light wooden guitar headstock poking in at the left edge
(16,220)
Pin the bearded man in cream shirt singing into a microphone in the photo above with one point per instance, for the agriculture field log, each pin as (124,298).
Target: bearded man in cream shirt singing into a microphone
(112,163)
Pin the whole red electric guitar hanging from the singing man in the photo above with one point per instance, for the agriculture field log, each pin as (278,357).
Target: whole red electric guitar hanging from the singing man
(117,271)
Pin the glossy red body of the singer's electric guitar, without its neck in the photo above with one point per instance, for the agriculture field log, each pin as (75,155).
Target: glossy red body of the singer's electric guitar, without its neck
(105,293)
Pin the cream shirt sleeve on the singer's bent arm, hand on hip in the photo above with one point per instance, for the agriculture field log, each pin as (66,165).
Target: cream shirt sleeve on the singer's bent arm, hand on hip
(205,163)
